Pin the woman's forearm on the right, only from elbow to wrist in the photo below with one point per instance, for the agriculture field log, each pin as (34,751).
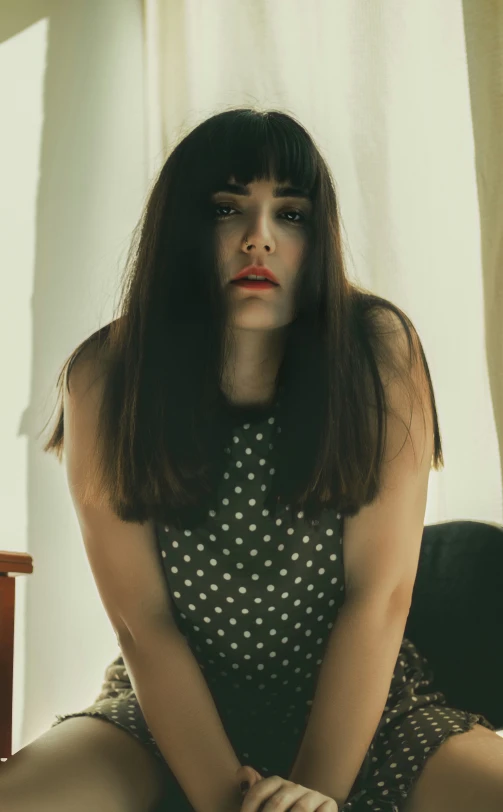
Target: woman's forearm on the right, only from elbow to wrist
(350,697)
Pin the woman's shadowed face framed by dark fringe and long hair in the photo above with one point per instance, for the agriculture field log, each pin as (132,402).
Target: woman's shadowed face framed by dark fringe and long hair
(275,229)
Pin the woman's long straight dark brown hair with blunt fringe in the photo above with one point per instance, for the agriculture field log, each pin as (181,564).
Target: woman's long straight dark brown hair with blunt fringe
(163,422)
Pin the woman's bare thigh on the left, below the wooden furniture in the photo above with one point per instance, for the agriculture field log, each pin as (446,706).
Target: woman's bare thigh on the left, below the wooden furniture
(81,764)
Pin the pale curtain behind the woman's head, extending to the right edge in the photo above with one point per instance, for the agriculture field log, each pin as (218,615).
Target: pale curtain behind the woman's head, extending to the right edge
(404,100)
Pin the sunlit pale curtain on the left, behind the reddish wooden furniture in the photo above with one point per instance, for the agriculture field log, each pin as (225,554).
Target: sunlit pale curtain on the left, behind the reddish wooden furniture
(73,180)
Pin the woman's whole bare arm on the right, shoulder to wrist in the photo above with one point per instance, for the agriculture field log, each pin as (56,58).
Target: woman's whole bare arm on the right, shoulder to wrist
(381,546)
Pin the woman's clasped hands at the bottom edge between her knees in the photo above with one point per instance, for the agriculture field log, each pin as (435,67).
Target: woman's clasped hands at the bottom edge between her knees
(276,794)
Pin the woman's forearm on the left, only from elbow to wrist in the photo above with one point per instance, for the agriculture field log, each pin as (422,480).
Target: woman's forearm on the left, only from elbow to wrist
(181,713)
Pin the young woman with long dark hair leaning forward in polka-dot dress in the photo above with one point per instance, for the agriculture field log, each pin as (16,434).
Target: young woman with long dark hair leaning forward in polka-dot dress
(249,466)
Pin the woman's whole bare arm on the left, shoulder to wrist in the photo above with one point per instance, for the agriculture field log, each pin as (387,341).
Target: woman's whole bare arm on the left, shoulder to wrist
(172,692)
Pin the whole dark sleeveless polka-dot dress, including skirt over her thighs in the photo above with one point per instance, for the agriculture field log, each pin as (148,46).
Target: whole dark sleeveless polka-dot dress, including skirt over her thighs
(256,599)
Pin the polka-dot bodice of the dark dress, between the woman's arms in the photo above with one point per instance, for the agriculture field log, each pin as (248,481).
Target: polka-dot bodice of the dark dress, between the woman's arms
(256,597)
